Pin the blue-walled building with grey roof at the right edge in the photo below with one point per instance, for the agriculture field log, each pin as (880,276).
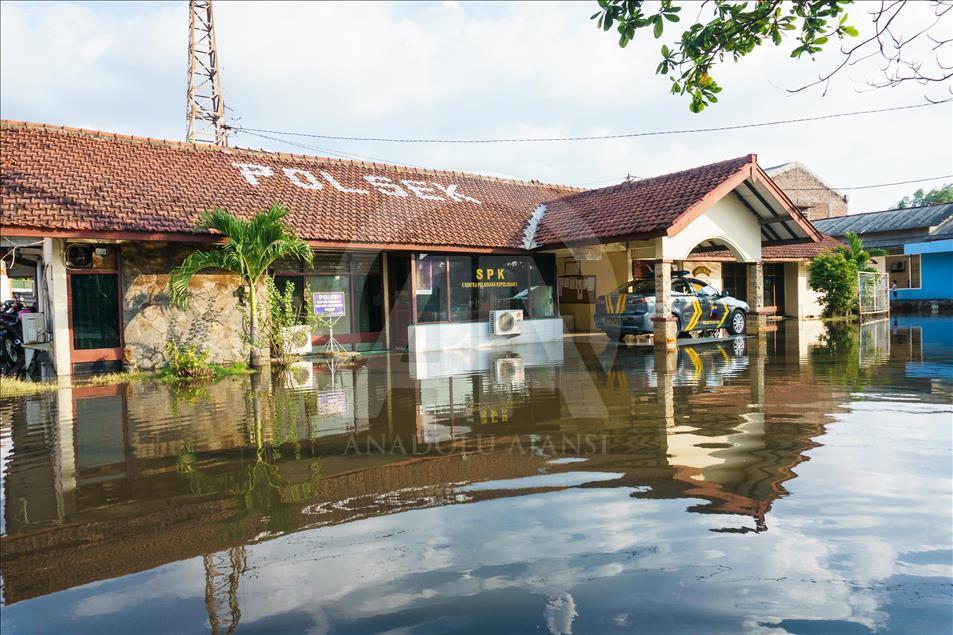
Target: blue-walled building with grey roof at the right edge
(919,244)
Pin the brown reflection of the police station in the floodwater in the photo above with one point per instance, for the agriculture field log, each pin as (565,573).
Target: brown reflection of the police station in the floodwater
(104,482)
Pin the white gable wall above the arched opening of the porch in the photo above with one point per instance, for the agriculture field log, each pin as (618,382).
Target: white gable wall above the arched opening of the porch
(728,221)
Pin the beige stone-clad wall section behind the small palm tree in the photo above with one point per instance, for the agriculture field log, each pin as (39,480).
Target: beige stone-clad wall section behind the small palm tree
(213,320)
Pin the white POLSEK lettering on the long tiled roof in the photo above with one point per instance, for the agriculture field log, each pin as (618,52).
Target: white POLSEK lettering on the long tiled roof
(253,173)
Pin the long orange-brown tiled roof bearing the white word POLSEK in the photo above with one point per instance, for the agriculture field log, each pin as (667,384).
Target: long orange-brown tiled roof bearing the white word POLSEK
(68,179)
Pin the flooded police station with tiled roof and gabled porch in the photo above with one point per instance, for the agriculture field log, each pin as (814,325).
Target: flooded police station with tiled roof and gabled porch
(426,260)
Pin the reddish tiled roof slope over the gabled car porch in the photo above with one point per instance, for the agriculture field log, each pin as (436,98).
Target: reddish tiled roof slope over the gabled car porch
(636,208)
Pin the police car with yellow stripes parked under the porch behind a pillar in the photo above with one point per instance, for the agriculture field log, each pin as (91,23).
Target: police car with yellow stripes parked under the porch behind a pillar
(696,305)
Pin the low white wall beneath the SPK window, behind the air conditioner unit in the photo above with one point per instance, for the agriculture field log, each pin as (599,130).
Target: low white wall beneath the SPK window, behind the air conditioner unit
(470,335)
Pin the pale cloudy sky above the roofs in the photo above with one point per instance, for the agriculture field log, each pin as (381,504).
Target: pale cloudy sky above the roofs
(470,70)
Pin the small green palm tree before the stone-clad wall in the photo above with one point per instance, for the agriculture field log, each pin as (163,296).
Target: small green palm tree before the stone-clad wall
(250,247)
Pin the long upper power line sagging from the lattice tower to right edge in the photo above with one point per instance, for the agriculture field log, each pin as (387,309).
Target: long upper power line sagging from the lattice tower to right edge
(629,135)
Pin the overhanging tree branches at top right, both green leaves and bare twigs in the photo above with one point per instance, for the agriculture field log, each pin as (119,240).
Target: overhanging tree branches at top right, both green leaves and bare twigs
(732,29)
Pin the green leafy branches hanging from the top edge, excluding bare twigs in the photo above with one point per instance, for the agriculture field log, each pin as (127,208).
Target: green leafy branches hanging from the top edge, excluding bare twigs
(734,30)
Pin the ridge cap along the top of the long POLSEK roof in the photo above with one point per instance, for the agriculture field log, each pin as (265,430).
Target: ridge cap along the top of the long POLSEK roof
(206,147)
